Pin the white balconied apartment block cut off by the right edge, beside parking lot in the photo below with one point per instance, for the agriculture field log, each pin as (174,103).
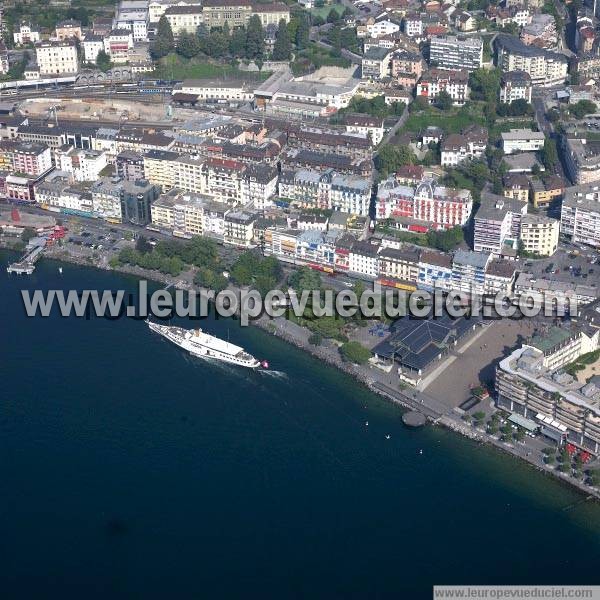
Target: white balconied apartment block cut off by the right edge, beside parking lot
(580,214)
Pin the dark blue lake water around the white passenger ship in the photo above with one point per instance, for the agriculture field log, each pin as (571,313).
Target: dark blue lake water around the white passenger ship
(130,470)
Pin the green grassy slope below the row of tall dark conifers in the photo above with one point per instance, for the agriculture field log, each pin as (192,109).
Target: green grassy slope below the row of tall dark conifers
(177,68)
